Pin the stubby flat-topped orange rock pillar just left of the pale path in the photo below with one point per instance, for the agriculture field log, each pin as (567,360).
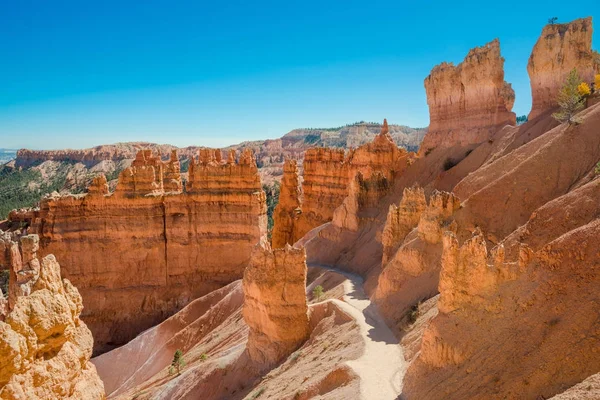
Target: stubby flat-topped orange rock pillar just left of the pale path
(275,306)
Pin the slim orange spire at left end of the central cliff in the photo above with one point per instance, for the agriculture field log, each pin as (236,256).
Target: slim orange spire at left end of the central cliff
(287,211)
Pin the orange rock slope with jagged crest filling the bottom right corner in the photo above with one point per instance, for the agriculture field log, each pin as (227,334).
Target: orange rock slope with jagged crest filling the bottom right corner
(539,307)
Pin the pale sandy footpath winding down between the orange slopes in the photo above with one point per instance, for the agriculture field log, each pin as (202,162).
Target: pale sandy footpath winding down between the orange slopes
(382,366)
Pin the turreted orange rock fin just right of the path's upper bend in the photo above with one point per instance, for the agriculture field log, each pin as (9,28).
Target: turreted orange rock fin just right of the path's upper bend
(412,248)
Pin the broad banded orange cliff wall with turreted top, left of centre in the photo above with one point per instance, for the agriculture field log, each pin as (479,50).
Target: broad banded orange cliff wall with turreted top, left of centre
(140,254)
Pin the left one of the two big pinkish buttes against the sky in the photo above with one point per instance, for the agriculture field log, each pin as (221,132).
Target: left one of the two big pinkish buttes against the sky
(469,102)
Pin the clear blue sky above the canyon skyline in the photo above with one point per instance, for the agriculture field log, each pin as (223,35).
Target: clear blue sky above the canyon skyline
(81,73)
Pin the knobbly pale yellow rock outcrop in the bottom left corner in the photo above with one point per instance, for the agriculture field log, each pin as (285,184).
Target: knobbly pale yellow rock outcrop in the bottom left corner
(45,348)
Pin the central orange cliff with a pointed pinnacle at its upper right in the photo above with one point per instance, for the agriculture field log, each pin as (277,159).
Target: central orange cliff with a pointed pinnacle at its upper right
(338,187)
